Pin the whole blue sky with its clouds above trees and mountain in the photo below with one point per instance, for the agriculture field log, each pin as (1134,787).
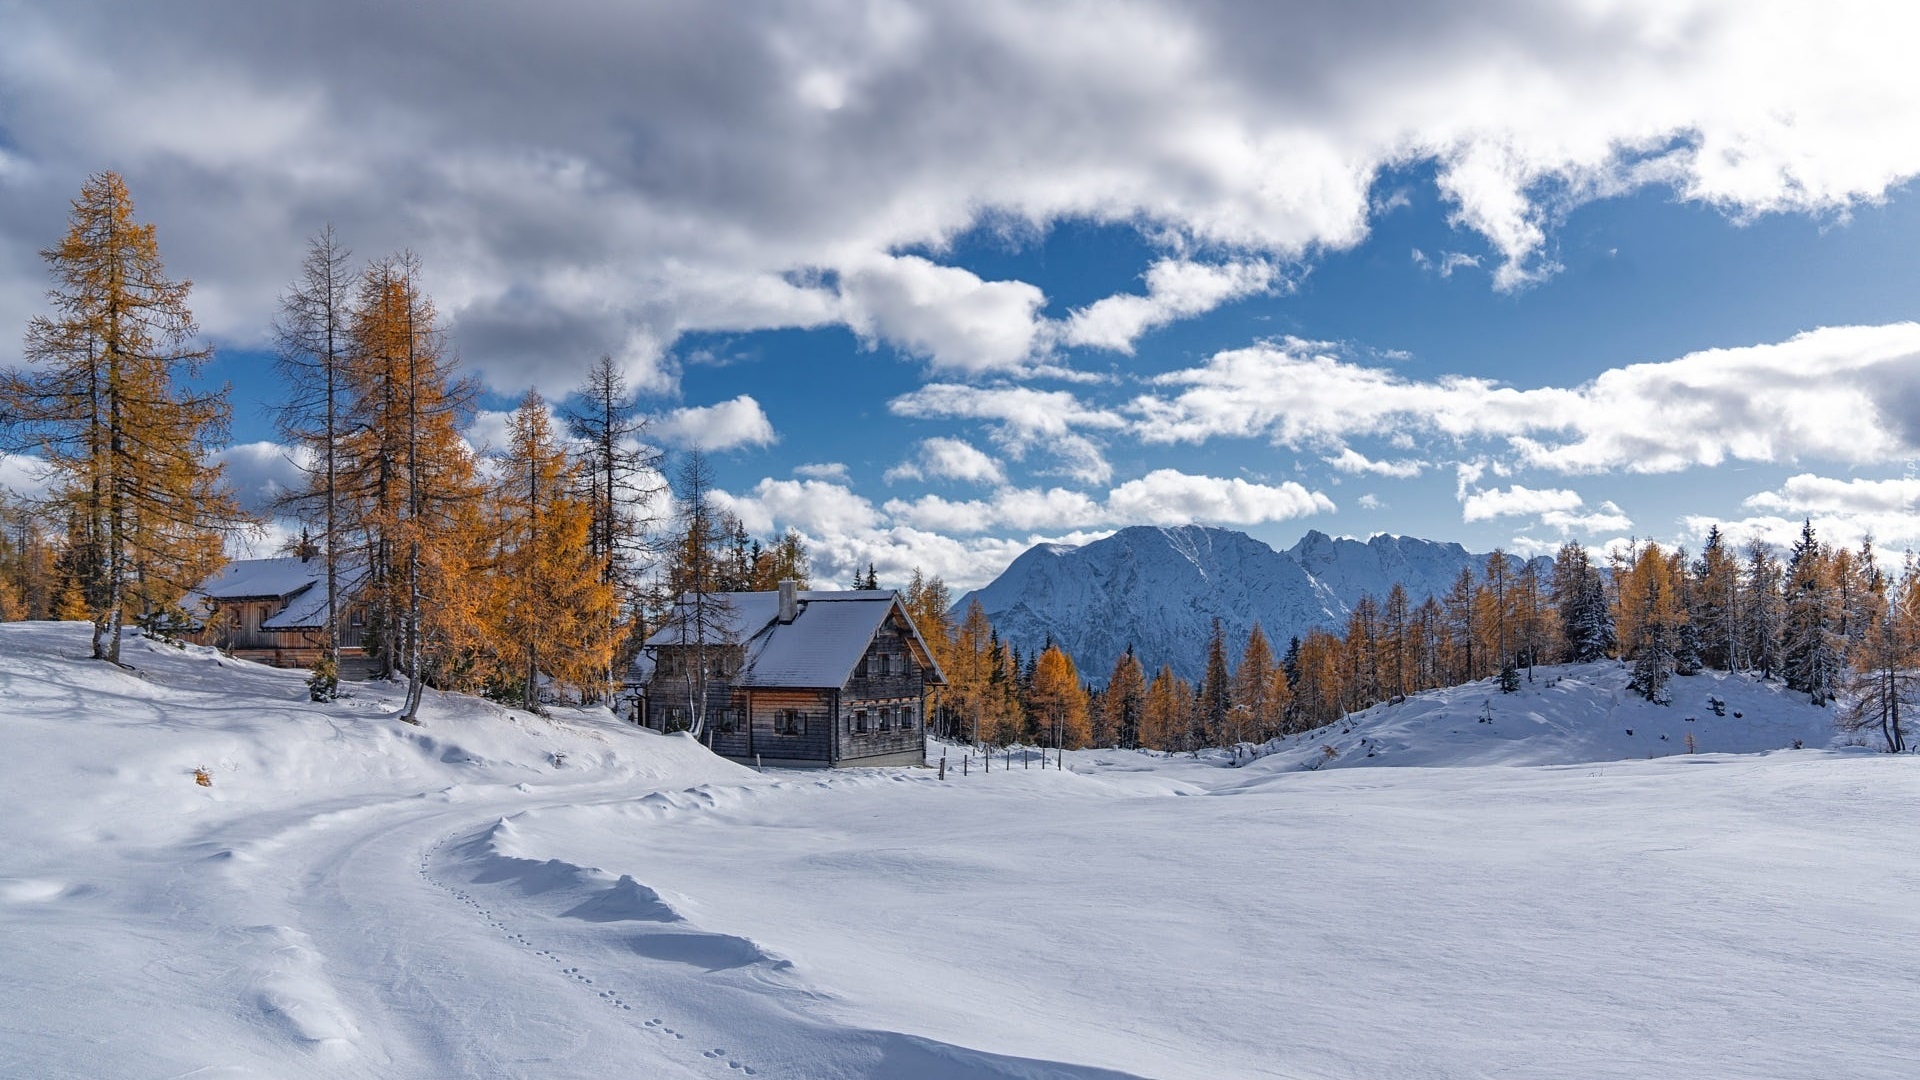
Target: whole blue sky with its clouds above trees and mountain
(934,285)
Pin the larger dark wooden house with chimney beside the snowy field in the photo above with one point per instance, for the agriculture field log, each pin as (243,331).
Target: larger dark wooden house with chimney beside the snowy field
(790,677)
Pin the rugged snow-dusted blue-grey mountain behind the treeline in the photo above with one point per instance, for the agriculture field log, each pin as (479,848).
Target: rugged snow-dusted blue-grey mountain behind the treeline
(1161,591)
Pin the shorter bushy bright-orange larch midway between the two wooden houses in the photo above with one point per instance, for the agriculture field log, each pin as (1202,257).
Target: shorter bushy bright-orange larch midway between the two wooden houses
(554,604)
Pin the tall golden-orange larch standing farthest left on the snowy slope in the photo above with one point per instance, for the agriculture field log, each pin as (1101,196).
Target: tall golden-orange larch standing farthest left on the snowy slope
(103,399)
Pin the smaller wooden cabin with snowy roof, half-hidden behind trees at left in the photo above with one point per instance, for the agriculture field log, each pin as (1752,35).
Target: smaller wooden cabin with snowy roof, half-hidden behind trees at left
(274,612)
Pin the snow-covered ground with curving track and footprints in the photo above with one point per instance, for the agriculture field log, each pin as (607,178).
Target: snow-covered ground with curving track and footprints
(498,895)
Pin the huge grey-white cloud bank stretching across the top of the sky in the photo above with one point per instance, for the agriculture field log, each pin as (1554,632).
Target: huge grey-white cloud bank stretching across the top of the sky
(606,178)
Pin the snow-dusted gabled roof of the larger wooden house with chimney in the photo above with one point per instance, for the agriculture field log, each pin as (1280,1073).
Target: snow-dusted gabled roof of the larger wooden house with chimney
(821,649)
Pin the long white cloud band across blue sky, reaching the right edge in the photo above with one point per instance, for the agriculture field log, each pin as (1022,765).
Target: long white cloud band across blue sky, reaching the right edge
(1840,393)
